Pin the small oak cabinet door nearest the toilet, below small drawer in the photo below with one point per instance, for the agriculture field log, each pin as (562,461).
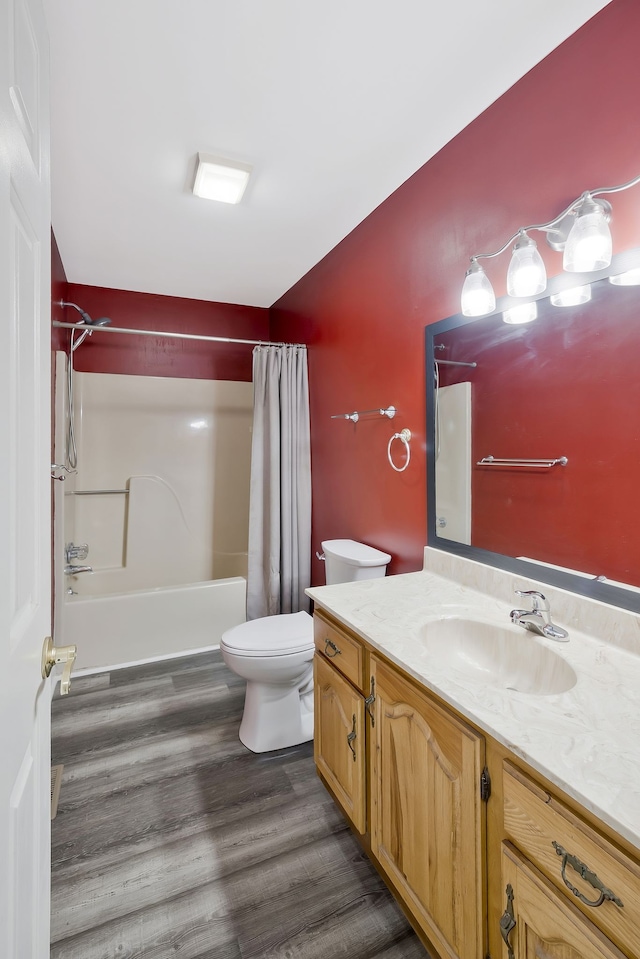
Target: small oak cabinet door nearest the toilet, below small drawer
(339,740)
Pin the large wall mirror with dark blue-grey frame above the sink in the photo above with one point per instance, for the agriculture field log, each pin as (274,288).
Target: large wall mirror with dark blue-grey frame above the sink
(562,391)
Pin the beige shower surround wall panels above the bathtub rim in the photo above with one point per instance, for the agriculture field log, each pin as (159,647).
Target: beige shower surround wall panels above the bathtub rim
(181,451)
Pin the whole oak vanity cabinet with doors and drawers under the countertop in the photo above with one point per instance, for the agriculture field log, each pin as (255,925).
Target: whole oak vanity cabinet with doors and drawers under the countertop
(517,877)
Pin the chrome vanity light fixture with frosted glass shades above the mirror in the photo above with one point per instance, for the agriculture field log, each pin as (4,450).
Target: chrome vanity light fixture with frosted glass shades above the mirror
(581,231)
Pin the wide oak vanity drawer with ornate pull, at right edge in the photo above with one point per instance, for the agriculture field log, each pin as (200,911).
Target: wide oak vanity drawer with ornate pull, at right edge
(558,842)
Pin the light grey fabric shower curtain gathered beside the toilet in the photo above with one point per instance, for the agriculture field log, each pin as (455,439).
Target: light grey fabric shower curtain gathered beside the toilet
(279,567)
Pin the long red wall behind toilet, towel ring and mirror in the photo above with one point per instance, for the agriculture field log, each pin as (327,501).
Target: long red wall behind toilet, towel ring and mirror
(568,125)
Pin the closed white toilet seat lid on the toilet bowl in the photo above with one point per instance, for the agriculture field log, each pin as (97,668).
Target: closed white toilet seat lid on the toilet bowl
(279,635)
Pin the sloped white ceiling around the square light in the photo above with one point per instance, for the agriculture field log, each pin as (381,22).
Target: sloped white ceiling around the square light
(334,102)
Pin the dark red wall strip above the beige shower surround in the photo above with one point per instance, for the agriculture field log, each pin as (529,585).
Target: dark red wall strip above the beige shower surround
(153,356)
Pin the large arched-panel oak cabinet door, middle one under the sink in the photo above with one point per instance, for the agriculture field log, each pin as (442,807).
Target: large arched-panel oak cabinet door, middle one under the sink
(427,818)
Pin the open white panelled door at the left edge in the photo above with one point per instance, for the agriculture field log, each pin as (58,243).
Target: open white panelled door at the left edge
(25,486)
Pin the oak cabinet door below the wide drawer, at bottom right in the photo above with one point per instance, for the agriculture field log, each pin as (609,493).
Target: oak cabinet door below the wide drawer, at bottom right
(539,922)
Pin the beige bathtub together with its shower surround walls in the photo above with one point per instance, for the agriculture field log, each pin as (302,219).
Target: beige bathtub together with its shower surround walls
(167,537)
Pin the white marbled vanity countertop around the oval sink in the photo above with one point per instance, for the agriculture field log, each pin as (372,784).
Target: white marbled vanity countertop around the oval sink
(585,740)
